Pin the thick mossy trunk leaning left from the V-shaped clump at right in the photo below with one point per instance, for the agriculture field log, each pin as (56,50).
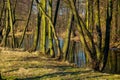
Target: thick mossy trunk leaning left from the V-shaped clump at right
(84,37)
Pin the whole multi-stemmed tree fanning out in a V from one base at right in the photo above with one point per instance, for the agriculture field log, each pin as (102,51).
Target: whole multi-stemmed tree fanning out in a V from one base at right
(86,37)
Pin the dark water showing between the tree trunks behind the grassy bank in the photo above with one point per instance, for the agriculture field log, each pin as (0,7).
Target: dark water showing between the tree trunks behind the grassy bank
(76,53)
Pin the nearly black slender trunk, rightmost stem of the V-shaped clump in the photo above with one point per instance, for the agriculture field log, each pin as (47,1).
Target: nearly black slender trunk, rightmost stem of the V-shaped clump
(107,35)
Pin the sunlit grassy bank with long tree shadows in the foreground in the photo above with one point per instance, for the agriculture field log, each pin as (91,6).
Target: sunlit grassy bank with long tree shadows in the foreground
(22,65)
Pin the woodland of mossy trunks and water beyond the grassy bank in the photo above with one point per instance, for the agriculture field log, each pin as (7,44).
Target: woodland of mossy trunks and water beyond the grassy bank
(62,28)
